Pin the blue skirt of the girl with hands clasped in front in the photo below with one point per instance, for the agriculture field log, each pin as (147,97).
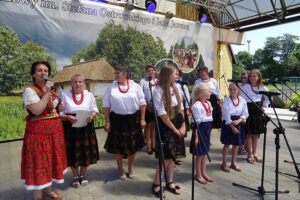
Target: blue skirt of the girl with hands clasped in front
(228,137)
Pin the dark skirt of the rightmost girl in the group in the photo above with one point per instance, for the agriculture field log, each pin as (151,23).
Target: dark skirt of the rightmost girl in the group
(254,123)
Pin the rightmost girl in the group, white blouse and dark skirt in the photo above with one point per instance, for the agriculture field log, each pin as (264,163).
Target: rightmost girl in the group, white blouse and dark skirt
(254,124)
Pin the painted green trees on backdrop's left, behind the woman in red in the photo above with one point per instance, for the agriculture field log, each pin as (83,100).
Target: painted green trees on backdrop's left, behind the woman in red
(16,59)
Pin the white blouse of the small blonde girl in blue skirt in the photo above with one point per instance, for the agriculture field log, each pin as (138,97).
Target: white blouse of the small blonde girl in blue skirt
(200,113)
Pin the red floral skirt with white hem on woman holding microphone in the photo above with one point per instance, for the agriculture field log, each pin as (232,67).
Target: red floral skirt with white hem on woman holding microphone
(43,154)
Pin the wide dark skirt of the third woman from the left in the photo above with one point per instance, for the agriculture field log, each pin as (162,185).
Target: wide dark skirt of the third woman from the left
(125,136)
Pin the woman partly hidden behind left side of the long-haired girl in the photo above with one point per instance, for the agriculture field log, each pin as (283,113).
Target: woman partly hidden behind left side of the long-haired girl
(150,127)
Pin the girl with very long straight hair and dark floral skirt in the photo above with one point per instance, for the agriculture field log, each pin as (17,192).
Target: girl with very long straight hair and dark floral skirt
(169,107)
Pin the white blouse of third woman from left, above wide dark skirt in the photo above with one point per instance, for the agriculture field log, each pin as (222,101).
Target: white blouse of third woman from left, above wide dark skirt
(124,103)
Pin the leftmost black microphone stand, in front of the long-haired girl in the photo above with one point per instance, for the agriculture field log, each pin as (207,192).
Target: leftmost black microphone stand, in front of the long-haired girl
(161,159)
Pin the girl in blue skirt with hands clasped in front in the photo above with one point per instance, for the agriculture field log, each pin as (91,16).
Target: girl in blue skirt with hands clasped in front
(235,112)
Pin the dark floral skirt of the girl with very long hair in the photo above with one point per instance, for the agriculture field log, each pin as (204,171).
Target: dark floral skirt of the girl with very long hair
(173,145)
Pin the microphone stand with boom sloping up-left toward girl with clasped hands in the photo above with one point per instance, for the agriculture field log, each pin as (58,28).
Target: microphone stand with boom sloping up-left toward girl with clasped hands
(260,189)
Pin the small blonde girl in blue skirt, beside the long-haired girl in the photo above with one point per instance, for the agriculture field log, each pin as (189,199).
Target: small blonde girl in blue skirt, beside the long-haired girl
(202,111)
